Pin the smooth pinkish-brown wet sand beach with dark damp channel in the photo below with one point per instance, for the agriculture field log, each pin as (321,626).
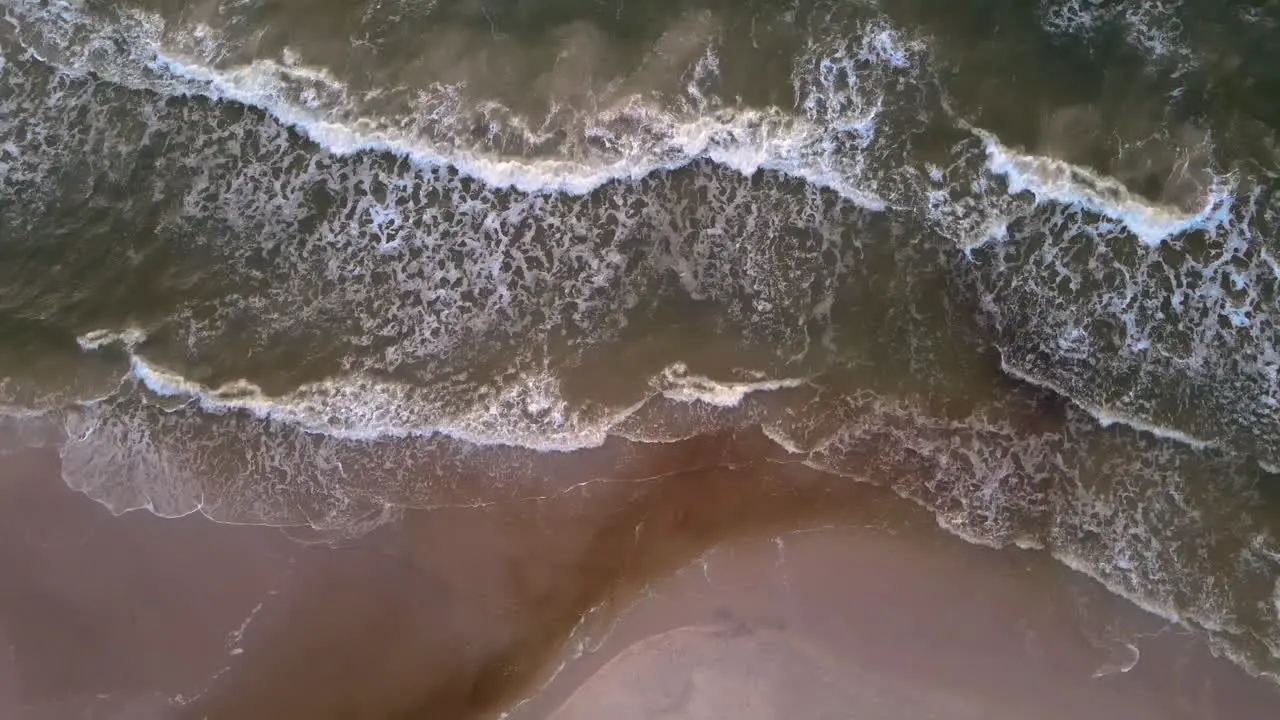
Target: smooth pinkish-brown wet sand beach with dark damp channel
(711,582)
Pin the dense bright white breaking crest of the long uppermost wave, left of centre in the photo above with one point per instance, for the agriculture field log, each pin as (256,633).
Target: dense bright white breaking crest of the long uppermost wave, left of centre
(746,140)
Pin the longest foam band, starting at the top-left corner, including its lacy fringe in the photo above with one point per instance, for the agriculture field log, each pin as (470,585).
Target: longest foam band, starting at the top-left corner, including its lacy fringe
(321,106)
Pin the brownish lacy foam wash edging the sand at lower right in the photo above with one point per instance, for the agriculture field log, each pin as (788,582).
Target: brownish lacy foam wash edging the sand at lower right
(984,479)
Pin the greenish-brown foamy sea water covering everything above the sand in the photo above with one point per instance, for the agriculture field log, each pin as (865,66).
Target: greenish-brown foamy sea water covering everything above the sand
(303,262)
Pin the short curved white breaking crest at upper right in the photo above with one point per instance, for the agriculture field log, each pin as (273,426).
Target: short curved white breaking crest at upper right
(1053,180)
